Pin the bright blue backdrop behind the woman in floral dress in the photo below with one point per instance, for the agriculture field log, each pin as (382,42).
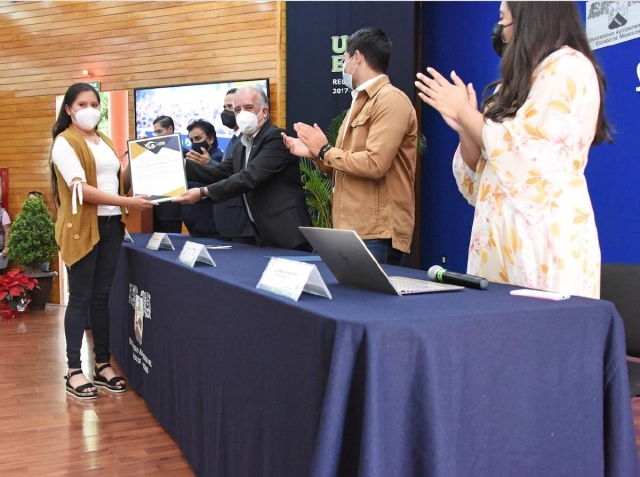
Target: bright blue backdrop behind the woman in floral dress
(613,170)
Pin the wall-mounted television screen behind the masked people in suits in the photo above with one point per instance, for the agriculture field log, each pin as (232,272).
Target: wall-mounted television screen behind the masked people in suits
(186,103)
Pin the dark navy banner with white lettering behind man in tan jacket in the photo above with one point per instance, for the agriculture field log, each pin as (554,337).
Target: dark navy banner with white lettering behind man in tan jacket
(316,40)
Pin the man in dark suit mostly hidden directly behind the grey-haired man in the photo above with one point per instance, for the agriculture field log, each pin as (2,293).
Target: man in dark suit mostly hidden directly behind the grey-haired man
(230,216)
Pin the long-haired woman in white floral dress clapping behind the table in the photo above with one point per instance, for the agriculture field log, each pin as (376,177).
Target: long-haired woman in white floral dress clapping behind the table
(522,162)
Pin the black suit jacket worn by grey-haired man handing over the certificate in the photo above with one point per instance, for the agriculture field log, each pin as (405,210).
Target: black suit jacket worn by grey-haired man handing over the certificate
(270,182)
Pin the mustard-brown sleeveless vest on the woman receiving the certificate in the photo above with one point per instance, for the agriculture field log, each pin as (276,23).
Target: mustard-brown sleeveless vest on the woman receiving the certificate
(77,234)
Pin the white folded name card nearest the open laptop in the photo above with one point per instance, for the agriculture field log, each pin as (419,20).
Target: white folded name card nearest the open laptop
(290,278)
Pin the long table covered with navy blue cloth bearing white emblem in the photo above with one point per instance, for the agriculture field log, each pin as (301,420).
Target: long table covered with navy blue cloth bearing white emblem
(471,383)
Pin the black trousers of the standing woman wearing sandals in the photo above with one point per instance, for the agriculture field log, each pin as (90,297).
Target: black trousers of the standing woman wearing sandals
(90,281)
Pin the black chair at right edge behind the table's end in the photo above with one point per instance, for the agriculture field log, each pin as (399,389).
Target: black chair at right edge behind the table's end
(620,284)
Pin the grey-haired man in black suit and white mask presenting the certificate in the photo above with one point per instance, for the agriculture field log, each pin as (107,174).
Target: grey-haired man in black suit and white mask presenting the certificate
(263,172)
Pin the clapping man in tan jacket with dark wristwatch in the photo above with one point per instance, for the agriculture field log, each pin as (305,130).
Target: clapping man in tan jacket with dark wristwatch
(374,160)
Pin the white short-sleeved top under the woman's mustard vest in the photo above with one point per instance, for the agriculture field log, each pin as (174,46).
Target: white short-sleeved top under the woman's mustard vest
(107,168)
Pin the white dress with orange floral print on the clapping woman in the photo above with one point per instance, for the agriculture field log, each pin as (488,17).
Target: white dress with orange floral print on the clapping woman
(533,225)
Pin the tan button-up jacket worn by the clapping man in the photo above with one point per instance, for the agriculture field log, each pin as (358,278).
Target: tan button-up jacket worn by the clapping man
(374,167)
